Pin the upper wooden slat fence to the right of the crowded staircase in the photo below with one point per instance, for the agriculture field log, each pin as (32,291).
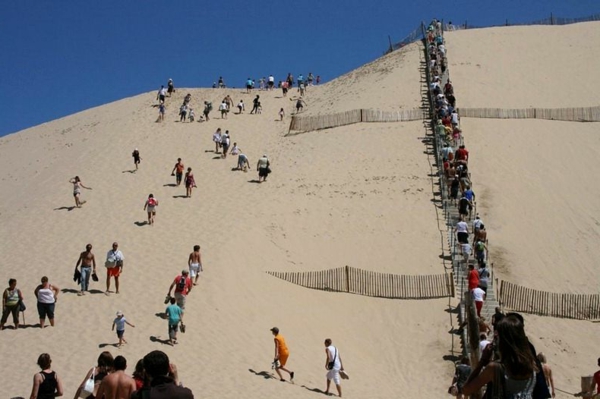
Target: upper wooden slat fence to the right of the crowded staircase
(582,114)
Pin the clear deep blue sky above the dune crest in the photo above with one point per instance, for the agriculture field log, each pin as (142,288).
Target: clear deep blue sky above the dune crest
(61,57)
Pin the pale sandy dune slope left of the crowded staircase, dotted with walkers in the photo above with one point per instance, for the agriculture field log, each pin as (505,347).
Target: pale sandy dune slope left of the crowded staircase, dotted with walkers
(358,195)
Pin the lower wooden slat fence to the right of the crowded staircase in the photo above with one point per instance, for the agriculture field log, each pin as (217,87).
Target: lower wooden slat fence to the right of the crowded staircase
(570,306)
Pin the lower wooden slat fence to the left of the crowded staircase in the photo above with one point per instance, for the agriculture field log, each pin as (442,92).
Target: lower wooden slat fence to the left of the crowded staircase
(363,282)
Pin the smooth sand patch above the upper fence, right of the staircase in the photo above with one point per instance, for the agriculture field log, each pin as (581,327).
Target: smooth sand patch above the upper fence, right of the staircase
(526,66)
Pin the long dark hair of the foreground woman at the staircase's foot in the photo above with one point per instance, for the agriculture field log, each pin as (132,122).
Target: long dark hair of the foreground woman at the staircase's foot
(514,348)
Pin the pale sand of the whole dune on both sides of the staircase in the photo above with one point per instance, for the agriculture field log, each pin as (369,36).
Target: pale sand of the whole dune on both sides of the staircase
(359,195)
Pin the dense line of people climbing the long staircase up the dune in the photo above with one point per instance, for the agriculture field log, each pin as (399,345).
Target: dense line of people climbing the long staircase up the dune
(509,366)
